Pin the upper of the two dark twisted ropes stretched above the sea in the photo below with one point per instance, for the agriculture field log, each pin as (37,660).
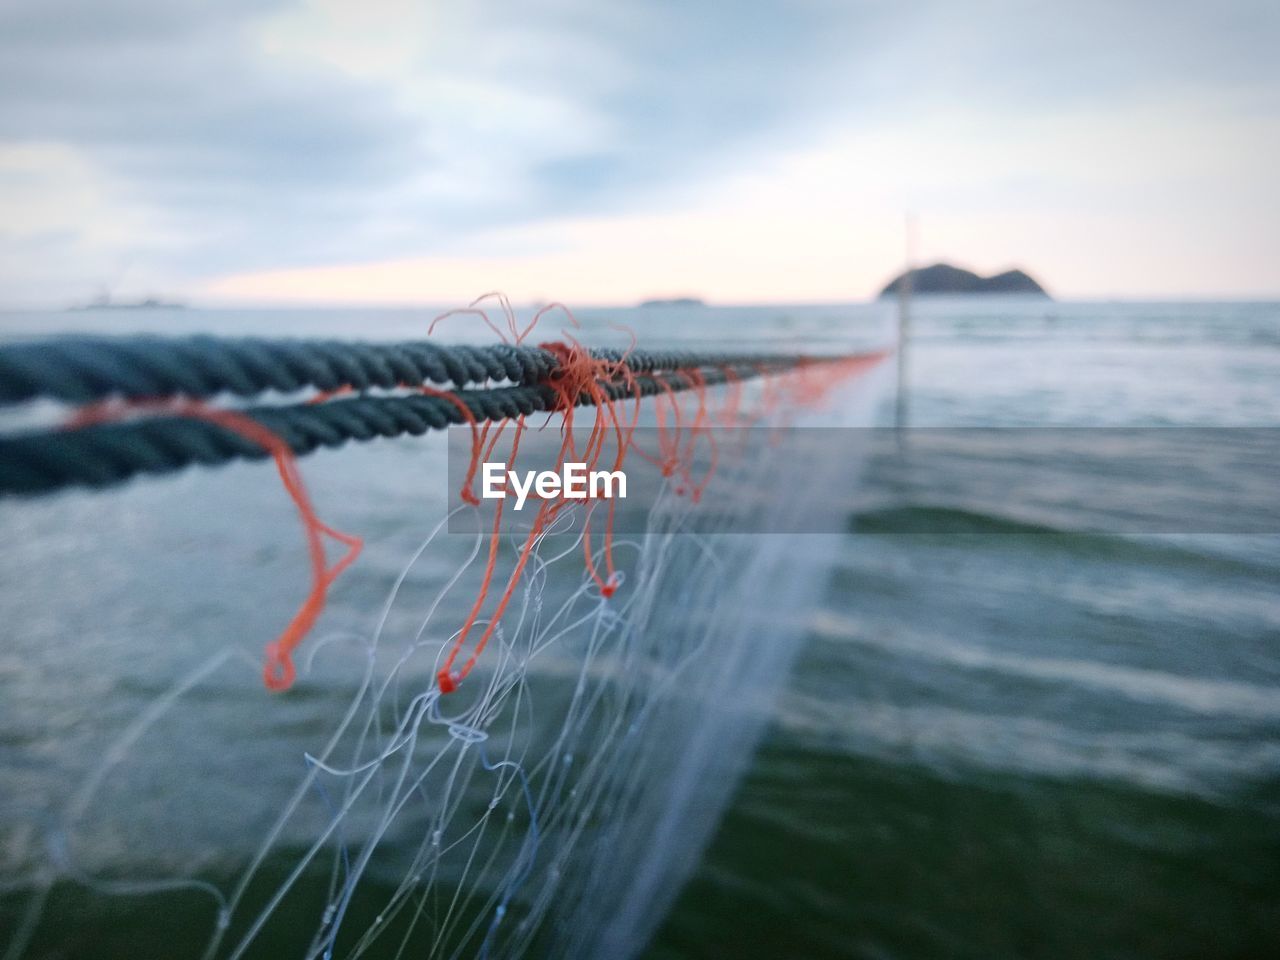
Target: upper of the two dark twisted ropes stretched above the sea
(86,369)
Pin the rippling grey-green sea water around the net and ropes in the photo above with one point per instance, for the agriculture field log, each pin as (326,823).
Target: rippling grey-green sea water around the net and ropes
(1005,738)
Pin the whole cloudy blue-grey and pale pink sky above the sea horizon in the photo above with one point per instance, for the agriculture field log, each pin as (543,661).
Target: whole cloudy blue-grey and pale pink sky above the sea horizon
(602,152)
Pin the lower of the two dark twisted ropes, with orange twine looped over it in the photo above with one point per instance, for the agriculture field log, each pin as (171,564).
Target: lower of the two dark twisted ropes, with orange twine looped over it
(109,454)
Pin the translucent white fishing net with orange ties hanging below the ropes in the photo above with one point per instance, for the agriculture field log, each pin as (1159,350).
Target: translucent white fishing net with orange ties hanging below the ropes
(525,748)
